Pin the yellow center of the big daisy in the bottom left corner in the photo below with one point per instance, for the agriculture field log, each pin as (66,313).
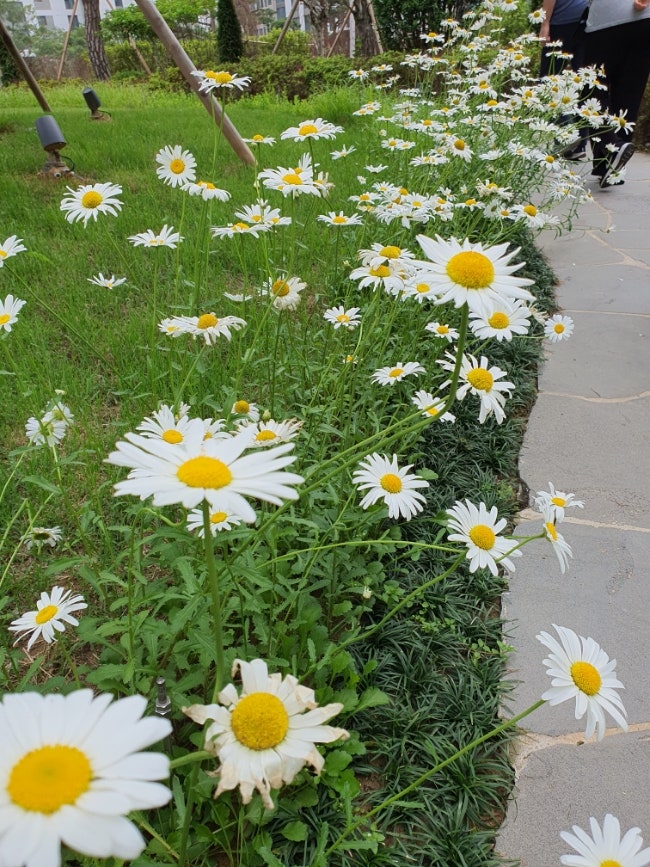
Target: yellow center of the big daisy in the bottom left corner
(48,778)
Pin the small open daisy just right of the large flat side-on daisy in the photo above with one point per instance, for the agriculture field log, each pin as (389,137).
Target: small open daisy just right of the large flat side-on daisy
(383,479)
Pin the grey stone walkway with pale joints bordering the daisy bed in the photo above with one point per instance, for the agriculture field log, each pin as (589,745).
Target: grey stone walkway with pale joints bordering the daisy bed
(589,434)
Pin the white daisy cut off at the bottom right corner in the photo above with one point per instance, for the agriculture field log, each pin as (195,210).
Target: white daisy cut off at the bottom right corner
(605,848)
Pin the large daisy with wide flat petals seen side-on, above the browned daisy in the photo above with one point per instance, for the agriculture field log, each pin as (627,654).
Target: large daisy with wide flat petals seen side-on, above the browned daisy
(205,469)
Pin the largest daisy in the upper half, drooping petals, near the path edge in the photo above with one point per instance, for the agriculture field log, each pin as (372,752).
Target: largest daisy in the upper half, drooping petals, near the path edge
(471,274)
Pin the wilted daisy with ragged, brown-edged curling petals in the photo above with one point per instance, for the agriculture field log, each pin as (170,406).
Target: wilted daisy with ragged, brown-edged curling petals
(264,735)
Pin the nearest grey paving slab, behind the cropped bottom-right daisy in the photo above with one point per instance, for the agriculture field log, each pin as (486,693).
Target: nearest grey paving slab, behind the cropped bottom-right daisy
(565,783)
